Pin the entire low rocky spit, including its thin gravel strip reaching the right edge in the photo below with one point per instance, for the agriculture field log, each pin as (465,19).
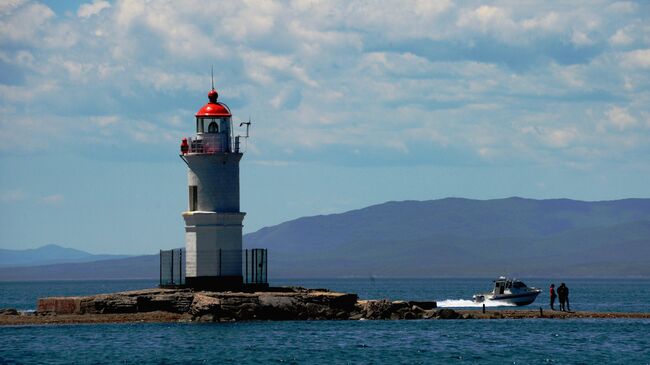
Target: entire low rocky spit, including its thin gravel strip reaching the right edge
(274,304)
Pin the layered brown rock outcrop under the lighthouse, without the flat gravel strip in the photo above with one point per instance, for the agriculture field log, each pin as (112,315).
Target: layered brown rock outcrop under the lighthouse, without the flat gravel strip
(290,303)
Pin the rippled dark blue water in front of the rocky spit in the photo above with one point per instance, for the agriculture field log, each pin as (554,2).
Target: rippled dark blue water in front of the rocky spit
(334,342)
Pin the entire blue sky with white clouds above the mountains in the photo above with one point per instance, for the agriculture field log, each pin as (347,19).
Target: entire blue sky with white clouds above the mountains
(352,103)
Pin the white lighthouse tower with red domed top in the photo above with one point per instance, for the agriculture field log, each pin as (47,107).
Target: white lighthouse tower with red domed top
(213,222)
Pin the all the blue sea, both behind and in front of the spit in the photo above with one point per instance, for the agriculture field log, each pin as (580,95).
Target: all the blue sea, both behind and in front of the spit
(527,341)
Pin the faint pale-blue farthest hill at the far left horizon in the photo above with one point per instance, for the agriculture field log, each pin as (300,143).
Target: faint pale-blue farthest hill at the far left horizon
(49,254)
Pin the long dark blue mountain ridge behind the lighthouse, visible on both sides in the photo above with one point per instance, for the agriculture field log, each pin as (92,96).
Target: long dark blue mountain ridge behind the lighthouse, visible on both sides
(451,237)
